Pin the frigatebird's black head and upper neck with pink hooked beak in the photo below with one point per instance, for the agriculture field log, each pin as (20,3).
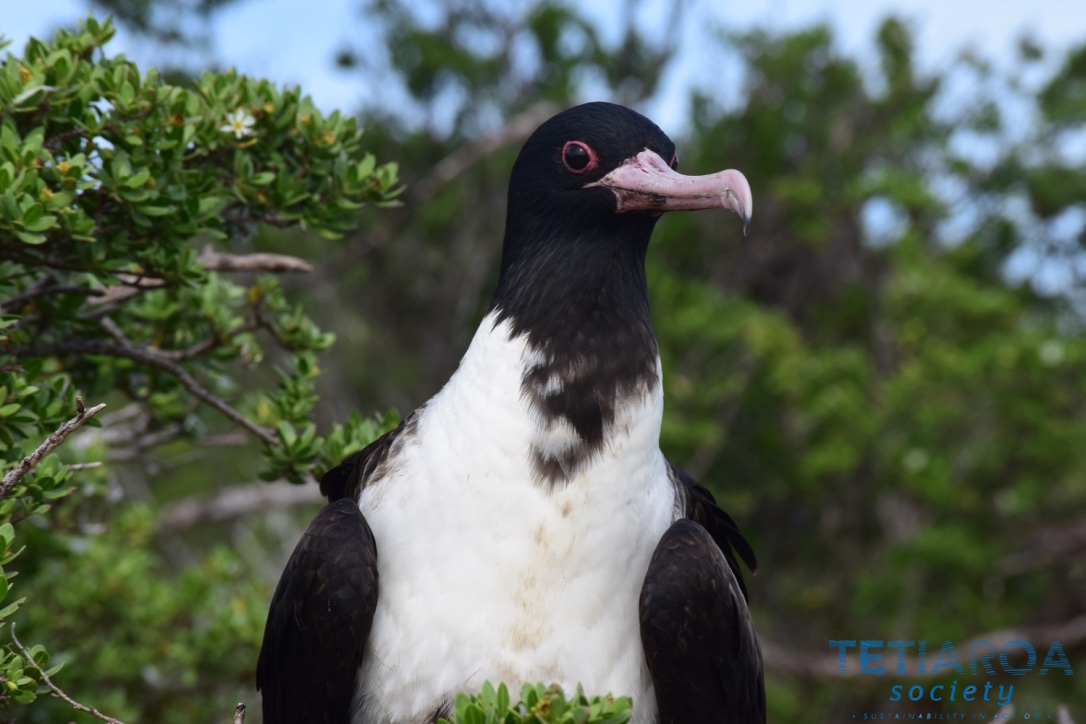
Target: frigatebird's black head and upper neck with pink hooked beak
(585,195)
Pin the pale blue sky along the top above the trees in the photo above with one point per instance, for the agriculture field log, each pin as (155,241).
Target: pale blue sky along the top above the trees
(271,39)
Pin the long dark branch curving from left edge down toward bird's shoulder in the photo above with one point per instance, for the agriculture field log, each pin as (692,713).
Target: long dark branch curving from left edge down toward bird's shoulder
(151,359)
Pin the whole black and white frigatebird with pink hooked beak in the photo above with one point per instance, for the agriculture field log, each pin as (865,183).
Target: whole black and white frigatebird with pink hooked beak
(524,526)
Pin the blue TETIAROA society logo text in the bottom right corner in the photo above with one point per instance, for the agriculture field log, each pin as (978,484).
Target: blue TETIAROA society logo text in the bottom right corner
(913,659)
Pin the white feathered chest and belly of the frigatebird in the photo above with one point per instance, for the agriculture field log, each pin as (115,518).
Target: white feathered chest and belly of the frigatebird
(489,573)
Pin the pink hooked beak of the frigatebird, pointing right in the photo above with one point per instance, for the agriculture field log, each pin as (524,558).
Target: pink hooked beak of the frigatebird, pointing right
(647,183)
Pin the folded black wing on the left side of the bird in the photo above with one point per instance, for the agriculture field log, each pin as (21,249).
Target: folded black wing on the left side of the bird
(320,621)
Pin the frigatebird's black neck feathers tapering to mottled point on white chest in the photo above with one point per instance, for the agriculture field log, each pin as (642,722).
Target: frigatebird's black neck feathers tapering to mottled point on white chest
(578,291)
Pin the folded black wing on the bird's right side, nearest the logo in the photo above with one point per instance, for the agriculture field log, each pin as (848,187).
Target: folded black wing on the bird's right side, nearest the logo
(700,641)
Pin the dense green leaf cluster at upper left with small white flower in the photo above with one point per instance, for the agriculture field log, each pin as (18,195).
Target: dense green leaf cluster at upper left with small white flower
(83,143)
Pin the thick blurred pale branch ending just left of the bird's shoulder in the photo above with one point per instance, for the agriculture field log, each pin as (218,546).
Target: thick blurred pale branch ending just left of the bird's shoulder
(235,502)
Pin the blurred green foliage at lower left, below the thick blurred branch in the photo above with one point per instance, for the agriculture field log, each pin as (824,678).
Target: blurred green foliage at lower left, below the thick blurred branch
(109,593)
